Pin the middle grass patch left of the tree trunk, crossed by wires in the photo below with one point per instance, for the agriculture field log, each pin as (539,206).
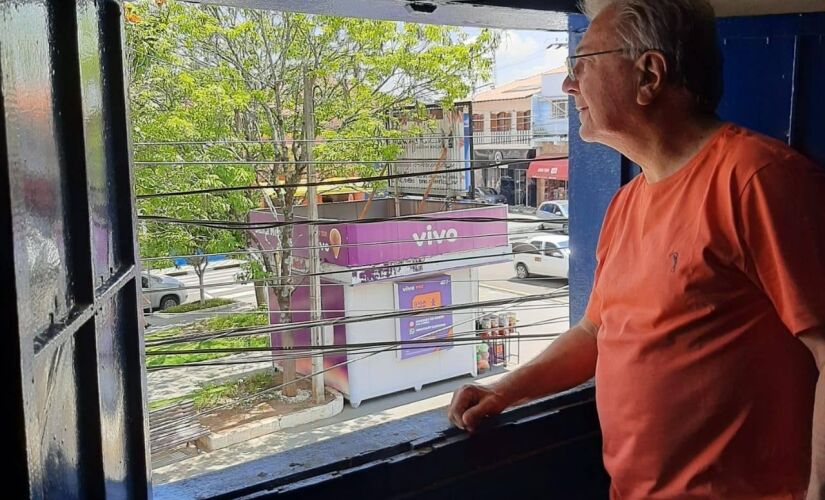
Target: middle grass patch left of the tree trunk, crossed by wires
(217,323)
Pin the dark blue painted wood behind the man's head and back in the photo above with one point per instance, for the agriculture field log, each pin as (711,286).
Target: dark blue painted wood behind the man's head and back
(774,76)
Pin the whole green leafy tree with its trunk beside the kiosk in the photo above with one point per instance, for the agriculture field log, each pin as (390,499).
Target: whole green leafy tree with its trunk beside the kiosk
(224,73)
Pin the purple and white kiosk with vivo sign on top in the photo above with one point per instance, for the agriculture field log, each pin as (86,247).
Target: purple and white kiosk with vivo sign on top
(393,265)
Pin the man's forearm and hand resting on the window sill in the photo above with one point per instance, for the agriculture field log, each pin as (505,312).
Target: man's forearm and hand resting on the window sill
(567,362)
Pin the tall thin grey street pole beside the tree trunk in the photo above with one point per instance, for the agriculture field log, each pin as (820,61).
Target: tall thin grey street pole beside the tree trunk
(314,254)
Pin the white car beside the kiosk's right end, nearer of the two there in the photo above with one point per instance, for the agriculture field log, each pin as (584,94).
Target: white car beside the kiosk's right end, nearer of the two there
(545,255)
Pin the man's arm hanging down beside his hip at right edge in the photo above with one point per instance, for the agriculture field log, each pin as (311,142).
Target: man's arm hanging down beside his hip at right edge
(815,341)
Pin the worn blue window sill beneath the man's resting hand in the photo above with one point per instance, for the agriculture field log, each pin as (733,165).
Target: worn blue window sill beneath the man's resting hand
(367,459)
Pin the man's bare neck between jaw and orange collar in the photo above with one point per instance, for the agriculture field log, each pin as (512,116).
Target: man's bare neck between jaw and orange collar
(662,147)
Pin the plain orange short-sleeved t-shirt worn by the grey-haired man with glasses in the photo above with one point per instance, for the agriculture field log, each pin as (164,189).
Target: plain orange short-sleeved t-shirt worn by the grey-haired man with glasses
(703,281)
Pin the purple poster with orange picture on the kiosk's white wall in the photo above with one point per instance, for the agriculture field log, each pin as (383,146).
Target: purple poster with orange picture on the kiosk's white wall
(424,293)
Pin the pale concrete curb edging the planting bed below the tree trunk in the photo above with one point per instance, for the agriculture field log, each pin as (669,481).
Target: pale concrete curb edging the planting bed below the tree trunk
(241,433)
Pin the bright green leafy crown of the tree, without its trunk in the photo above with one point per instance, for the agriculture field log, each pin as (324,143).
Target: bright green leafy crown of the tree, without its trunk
(219,73)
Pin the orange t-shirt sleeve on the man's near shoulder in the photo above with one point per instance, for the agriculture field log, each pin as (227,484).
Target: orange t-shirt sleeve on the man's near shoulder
(782,233)
